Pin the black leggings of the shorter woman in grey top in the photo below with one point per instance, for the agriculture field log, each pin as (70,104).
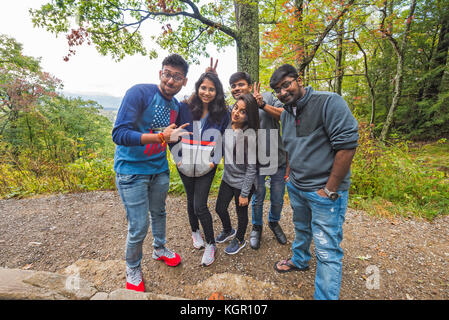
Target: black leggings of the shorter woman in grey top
(225,195)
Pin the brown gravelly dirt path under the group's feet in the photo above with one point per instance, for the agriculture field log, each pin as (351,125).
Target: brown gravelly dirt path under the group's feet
(384,258)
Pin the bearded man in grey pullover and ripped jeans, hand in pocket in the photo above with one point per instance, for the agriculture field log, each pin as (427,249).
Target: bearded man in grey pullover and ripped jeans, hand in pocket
(320,136)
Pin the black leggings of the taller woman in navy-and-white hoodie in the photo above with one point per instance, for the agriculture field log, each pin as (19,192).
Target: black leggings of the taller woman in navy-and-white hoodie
(197,190)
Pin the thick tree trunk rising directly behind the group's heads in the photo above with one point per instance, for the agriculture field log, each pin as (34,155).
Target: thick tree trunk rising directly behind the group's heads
(247,18)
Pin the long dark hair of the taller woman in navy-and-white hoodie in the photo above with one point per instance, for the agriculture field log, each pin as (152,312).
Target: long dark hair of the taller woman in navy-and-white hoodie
(217,108)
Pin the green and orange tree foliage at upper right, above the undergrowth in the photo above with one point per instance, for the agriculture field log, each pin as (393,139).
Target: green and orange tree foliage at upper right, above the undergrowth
(300,23)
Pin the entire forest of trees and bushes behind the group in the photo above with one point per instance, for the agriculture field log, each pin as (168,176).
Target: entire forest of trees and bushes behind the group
(388,59)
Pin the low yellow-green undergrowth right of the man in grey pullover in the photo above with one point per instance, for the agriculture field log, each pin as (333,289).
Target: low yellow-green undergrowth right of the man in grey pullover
(390,174)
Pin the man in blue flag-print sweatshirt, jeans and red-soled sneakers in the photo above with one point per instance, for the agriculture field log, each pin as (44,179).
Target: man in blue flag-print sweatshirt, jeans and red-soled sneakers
(145,124)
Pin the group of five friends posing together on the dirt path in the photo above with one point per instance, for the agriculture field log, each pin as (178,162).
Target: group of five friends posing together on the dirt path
(312,157)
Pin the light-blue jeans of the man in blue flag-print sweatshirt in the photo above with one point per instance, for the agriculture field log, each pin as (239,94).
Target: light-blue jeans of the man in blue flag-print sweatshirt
(140,194)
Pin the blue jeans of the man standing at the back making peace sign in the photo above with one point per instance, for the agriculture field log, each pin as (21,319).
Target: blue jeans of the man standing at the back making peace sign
(277,191)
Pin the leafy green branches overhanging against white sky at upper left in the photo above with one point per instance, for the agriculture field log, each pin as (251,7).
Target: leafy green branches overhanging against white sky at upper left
(114,26)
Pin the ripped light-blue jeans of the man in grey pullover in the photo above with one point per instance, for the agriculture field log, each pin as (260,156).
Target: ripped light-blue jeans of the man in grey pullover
(321,219)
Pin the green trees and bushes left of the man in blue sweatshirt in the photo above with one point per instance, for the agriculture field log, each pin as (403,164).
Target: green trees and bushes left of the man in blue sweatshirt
(48,143)
